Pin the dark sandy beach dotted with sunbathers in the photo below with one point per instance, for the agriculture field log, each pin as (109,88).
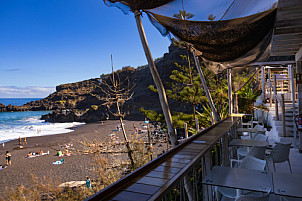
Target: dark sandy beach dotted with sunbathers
(75,167)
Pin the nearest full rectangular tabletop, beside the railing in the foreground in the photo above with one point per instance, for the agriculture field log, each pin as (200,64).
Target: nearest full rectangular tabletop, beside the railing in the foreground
(238,178)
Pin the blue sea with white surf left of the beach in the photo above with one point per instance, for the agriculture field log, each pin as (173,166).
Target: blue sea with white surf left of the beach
(28,124)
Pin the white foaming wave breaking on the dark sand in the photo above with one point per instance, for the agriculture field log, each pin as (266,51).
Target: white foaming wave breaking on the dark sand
(35,127)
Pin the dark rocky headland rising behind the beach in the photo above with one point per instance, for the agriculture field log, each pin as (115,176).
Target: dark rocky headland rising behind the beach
(78,101)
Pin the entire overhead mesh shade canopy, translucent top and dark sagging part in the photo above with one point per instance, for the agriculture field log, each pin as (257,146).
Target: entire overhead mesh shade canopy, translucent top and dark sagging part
(226,34)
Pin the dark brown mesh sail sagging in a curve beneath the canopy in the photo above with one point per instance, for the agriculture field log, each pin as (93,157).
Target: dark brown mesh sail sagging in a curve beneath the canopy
(221,41)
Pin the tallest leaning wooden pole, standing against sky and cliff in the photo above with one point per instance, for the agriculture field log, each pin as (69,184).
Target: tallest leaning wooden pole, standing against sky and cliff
(157,80)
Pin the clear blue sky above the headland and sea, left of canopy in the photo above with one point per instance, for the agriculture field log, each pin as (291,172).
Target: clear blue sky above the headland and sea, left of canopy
(45,43)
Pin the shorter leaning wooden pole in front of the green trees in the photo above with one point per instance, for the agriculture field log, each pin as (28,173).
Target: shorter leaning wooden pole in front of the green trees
(206,90)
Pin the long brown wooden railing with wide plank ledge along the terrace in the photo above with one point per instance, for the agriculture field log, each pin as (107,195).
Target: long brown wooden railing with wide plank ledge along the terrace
(177,175)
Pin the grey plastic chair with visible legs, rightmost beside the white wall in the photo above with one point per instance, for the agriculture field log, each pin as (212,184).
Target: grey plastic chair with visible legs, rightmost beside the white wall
(280,154)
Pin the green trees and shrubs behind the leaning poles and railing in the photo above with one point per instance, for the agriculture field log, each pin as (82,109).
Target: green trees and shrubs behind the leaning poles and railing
(186,87)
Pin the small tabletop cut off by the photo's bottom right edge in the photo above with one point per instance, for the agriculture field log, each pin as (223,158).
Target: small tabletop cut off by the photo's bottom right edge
(286,184)
